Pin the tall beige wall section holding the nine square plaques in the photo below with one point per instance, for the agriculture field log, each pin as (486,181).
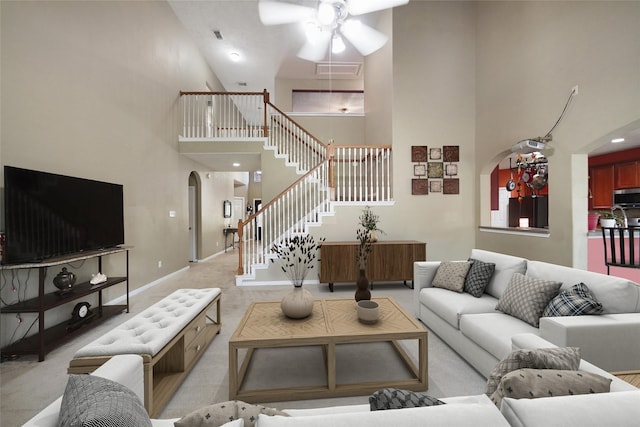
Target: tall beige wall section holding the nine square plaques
(433,105)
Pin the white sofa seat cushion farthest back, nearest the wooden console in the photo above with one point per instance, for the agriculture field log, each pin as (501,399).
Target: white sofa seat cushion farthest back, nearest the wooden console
(451,305)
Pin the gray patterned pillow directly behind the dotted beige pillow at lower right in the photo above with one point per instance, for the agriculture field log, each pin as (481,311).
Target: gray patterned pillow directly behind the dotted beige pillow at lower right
(566,358)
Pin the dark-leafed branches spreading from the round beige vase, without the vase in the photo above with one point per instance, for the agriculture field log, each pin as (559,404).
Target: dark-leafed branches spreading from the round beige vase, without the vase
(296,256)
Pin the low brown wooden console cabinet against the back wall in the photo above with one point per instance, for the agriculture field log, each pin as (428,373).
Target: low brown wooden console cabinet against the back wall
(389,261)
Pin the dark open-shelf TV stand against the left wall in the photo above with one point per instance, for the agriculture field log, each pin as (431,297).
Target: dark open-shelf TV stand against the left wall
(46,339)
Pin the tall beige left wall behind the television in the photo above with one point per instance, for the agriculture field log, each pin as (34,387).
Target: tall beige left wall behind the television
(90,89)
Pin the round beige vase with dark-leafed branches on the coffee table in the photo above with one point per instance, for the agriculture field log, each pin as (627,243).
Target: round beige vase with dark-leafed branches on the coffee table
(296,256)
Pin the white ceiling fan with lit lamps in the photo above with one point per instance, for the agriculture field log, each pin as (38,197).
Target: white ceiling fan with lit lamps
(328,23)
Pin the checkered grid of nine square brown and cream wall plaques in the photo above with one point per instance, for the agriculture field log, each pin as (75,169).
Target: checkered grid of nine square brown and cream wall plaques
(436,170)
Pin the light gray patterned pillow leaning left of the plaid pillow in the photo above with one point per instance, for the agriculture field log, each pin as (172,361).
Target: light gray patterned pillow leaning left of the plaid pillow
(526,297)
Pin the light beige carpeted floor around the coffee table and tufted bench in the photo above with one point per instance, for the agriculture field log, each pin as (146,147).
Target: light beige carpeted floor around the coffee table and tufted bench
(27,386)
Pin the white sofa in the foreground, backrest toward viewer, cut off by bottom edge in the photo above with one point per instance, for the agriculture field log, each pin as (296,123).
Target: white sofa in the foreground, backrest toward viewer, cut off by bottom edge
(621,407)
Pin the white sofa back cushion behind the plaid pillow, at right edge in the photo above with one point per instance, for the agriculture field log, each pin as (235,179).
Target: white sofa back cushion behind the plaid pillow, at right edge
(616,295)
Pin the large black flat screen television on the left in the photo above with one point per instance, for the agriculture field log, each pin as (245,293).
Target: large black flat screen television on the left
(48,215)
